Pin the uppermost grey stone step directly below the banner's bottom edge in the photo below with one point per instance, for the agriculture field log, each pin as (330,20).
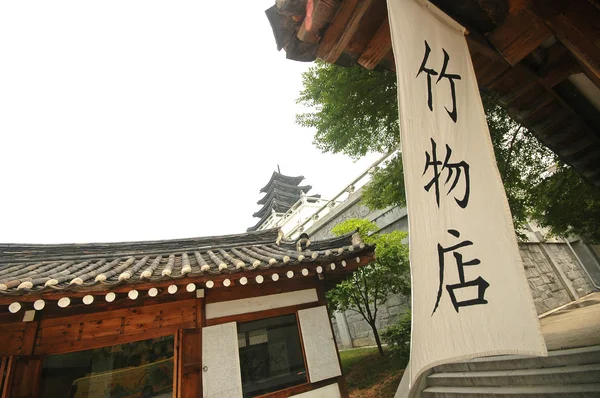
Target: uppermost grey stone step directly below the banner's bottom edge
(575,356)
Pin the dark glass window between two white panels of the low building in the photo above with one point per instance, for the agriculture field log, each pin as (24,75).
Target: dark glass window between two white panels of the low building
(271,355)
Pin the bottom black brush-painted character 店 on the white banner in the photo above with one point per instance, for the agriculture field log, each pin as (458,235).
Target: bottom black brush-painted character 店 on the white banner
(480,283)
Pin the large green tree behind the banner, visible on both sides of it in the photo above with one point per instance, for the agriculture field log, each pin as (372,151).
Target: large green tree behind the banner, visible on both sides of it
(354,111)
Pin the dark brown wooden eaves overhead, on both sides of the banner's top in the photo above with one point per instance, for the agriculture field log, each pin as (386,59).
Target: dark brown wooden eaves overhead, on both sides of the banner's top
(539,59)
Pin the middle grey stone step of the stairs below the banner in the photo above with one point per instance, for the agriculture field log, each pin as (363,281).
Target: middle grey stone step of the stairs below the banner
(579,374)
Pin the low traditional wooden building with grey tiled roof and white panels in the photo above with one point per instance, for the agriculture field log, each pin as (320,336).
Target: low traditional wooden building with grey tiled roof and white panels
(228,316)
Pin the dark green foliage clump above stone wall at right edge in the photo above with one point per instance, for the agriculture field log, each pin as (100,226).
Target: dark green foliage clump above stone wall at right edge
(565,189)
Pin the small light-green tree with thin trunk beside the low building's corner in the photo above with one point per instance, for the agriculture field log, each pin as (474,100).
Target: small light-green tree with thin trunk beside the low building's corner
(370,286)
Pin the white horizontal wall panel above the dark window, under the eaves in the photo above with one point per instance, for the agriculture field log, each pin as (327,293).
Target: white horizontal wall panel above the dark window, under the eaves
(255,304)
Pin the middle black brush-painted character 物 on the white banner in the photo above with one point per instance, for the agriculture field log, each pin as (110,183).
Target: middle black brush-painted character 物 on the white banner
(458,170)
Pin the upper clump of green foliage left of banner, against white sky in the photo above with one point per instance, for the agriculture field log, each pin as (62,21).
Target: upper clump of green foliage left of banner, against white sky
(350,118)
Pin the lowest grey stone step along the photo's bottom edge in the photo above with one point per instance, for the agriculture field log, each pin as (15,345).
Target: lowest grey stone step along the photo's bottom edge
(562,391)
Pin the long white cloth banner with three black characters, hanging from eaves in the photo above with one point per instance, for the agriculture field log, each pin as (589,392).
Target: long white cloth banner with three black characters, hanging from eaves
(470,296)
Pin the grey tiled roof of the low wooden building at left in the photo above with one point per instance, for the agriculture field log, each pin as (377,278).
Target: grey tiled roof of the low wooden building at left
(26,268)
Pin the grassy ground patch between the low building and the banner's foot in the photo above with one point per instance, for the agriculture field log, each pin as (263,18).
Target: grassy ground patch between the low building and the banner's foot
(369,375)
